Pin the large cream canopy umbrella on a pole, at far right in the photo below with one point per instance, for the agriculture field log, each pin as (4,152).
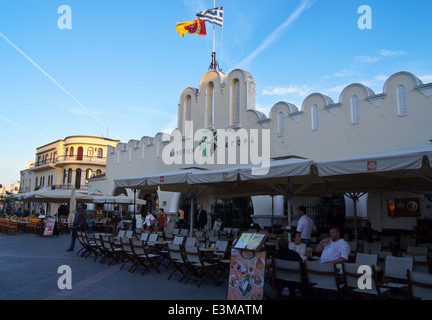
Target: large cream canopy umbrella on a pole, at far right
(405,169)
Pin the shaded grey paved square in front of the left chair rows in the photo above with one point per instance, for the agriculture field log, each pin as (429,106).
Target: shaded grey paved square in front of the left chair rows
(29,266)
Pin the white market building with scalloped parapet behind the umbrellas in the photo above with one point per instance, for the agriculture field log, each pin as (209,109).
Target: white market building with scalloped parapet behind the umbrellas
(361,122)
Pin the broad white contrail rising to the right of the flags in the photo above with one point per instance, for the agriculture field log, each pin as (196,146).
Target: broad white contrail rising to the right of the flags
(274,36)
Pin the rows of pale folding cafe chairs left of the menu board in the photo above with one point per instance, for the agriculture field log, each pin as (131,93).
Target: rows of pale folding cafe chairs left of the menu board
(200,257)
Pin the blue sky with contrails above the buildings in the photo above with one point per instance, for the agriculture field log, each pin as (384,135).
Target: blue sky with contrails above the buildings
(121,69)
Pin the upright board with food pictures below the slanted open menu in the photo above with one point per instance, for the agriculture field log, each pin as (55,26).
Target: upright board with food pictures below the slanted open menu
(247,274)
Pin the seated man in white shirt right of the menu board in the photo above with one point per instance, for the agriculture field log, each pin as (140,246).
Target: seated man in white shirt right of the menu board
(334,249)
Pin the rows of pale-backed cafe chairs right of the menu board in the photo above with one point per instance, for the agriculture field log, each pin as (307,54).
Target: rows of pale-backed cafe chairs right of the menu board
(401,269)
